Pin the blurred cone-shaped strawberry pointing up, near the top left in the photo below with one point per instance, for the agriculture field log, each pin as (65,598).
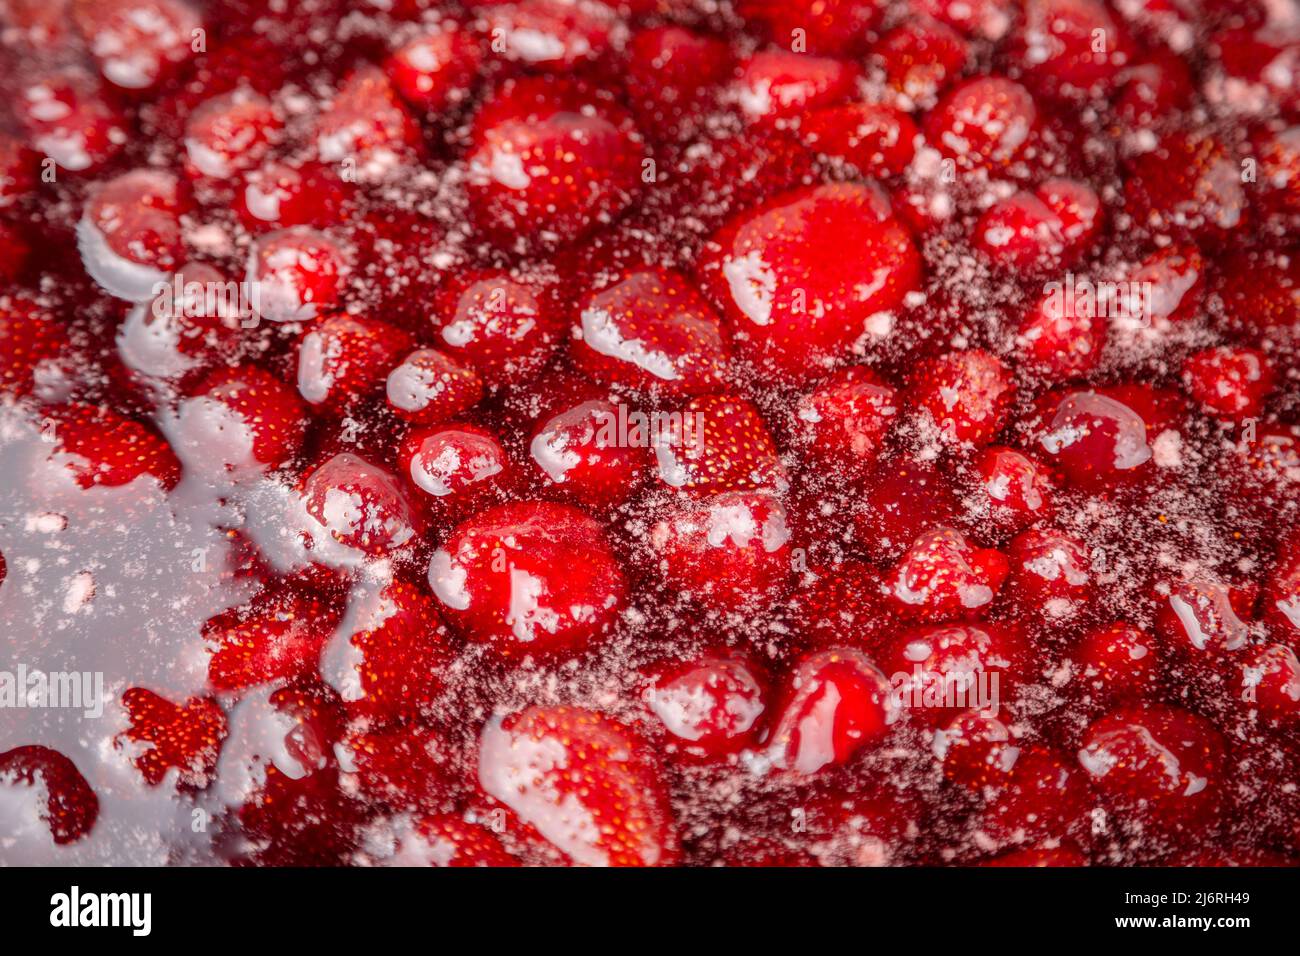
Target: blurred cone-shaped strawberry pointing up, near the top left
(367,127)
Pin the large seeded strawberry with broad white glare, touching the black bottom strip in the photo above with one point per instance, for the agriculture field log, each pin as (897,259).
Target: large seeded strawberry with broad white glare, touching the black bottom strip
(591,786)
